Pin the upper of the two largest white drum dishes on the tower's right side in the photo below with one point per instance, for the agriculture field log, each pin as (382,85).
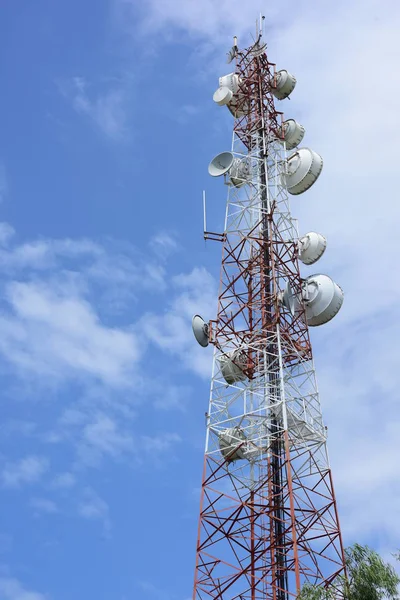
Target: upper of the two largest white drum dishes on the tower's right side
(303,169)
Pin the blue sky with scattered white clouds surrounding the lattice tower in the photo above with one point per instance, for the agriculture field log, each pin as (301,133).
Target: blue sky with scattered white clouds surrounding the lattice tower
(107,126)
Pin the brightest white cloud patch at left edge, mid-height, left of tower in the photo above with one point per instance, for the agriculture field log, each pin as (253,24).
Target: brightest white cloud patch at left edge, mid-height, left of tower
(51,331)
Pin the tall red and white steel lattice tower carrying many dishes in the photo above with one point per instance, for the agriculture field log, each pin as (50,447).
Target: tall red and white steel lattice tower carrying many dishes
(268,518)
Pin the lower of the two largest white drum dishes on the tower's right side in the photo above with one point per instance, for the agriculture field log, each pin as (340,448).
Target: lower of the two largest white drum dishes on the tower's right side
(323,299)
